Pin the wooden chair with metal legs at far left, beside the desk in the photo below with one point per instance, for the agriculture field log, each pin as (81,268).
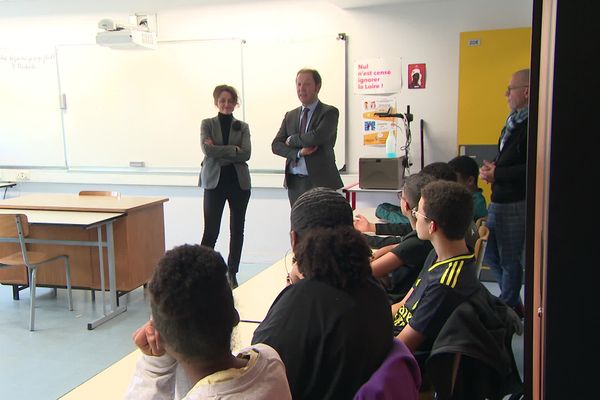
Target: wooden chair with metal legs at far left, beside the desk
(17,226)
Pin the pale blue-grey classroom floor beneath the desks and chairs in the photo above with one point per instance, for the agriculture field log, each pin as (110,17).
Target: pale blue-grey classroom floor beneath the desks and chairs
(61,353)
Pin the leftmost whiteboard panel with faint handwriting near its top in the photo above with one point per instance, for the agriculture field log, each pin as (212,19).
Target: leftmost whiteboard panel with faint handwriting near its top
(31,132)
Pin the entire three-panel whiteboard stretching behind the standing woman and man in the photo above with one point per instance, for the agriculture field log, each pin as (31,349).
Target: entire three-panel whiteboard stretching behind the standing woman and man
(123,106)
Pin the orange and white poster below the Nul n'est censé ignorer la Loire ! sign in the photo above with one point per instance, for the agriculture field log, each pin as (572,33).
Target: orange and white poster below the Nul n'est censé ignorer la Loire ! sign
(376,128)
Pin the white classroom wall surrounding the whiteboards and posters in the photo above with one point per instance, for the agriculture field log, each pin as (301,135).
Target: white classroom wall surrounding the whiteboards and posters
(423,32)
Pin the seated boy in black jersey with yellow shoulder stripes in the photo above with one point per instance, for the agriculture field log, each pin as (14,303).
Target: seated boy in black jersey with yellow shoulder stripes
(449,274)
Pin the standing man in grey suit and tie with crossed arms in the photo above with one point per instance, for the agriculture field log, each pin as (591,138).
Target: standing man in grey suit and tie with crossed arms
(306,139)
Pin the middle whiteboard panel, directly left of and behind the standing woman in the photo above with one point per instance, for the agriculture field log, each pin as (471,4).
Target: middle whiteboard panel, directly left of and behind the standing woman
(142,105)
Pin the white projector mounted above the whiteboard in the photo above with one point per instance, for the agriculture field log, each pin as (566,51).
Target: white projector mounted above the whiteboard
(126,37)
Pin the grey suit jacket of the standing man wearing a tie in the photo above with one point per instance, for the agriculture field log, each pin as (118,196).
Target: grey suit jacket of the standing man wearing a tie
(321,132)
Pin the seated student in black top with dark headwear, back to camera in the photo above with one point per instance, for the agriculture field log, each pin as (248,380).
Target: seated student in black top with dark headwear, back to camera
(332,328)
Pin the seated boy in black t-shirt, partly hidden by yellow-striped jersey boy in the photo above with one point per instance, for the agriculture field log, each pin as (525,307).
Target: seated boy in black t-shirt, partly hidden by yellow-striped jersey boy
(401,265)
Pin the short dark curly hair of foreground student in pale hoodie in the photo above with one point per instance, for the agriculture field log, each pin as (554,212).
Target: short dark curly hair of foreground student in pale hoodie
(191,301)
